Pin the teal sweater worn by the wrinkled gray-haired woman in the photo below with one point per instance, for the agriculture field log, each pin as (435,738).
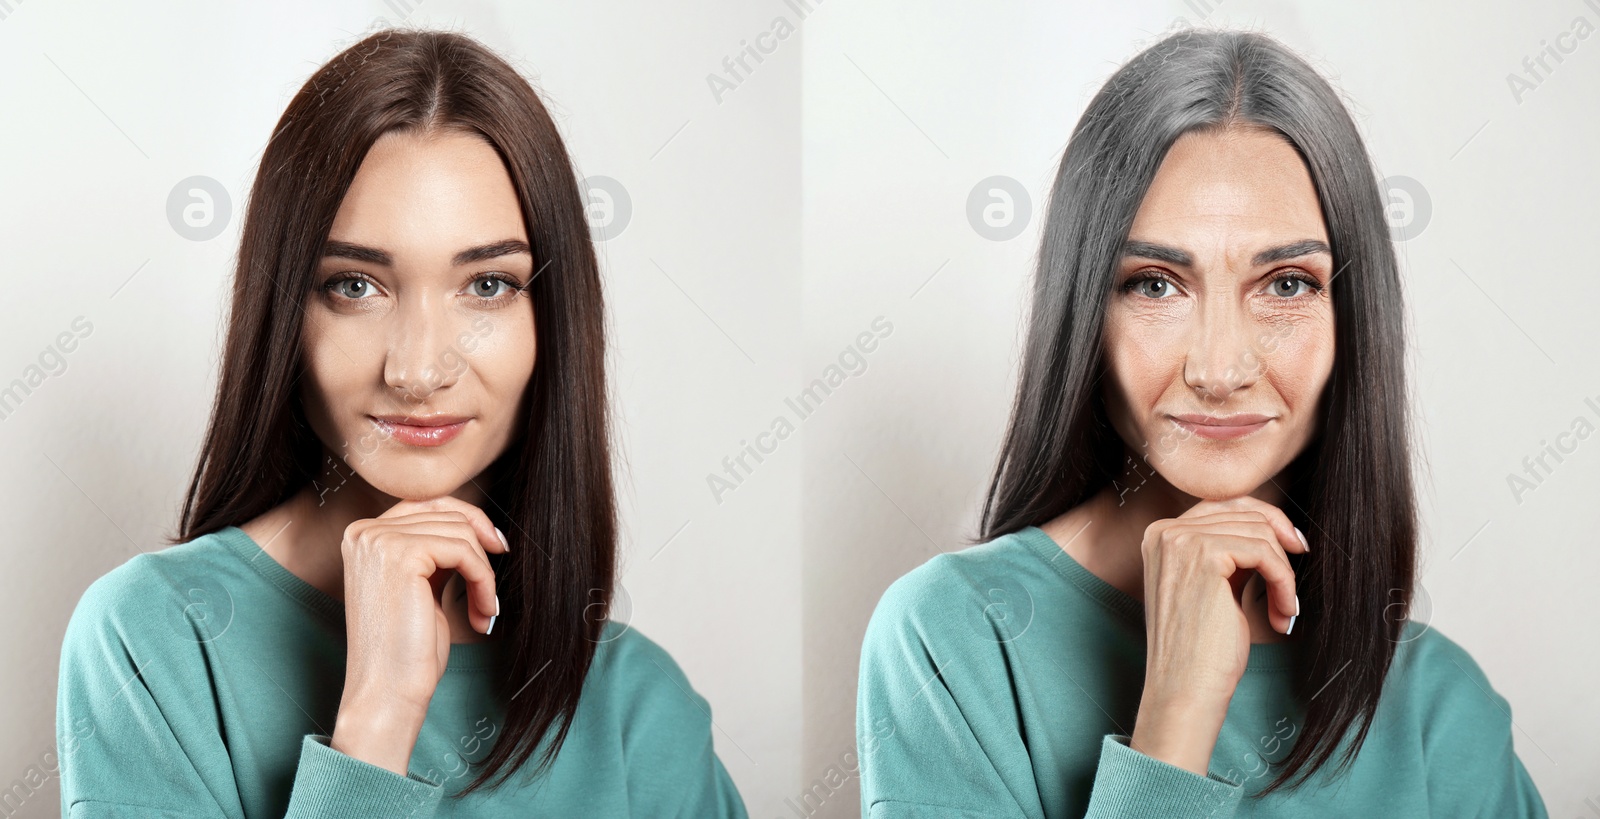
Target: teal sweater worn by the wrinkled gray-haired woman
(1004,681)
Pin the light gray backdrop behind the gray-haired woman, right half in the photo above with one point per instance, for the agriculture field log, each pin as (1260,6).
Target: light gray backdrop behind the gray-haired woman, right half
(910,106)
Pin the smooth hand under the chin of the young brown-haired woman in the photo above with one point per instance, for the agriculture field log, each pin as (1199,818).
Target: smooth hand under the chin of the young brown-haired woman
(396,569)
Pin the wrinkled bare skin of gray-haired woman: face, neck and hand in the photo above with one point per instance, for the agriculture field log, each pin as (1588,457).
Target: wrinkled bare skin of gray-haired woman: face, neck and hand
(1194,529)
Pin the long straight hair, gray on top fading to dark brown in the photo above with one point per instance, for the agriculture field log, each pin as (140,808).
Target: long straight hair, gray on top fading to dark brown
(1351,490)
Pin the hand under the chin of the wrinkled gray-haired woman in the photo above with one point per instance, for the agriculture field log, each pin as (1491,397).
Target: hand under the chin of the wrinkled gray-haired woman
(1196,567)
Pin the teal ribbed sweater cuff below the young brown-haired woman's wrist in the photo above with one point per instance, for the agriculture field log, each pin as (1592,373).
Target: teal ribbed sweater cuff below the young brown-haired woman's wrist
(334,785)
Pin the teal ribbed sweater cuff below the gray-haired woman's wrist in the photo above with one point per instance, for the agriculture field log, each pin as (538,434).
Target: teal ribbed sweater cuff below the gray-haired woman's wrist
(1130,783)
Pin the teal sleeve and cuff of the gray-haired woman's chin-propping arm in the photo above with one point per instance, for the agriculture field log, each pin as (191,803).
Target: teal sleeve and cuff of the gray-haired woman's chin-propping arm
(938,732)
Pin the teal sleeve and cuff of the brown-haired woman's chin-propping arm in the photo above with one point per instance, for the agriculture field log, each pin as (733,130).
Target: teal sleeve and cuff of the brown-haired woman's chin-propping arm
(138,733)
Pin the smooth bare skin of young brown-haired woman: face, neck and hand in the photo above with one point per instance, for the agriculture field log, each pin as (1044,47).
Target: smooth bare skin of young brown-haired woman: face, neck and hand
(393,530)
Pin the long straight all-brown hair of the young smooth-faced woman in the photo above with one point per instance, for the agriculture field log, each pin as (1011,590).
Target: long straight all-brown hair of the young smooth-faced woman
(551,492)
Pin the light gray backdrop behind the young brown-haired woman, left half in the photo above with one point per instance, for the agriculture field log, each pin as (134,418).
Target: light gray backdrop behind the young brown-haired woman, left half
(111,105)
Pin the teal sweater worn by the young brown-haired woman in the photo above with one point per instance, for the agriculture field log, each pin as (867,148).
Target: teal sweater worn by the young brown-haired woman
(202,681)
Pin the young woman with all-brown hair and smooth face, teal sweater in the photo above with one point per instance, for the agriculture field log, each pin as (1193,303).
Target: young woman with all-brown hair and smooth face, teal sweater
(398,554)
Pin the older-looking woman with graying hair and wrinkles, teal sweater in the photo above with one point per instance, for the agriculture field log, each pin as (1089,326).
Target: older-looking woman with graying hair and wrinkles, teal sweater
(1201,538)
